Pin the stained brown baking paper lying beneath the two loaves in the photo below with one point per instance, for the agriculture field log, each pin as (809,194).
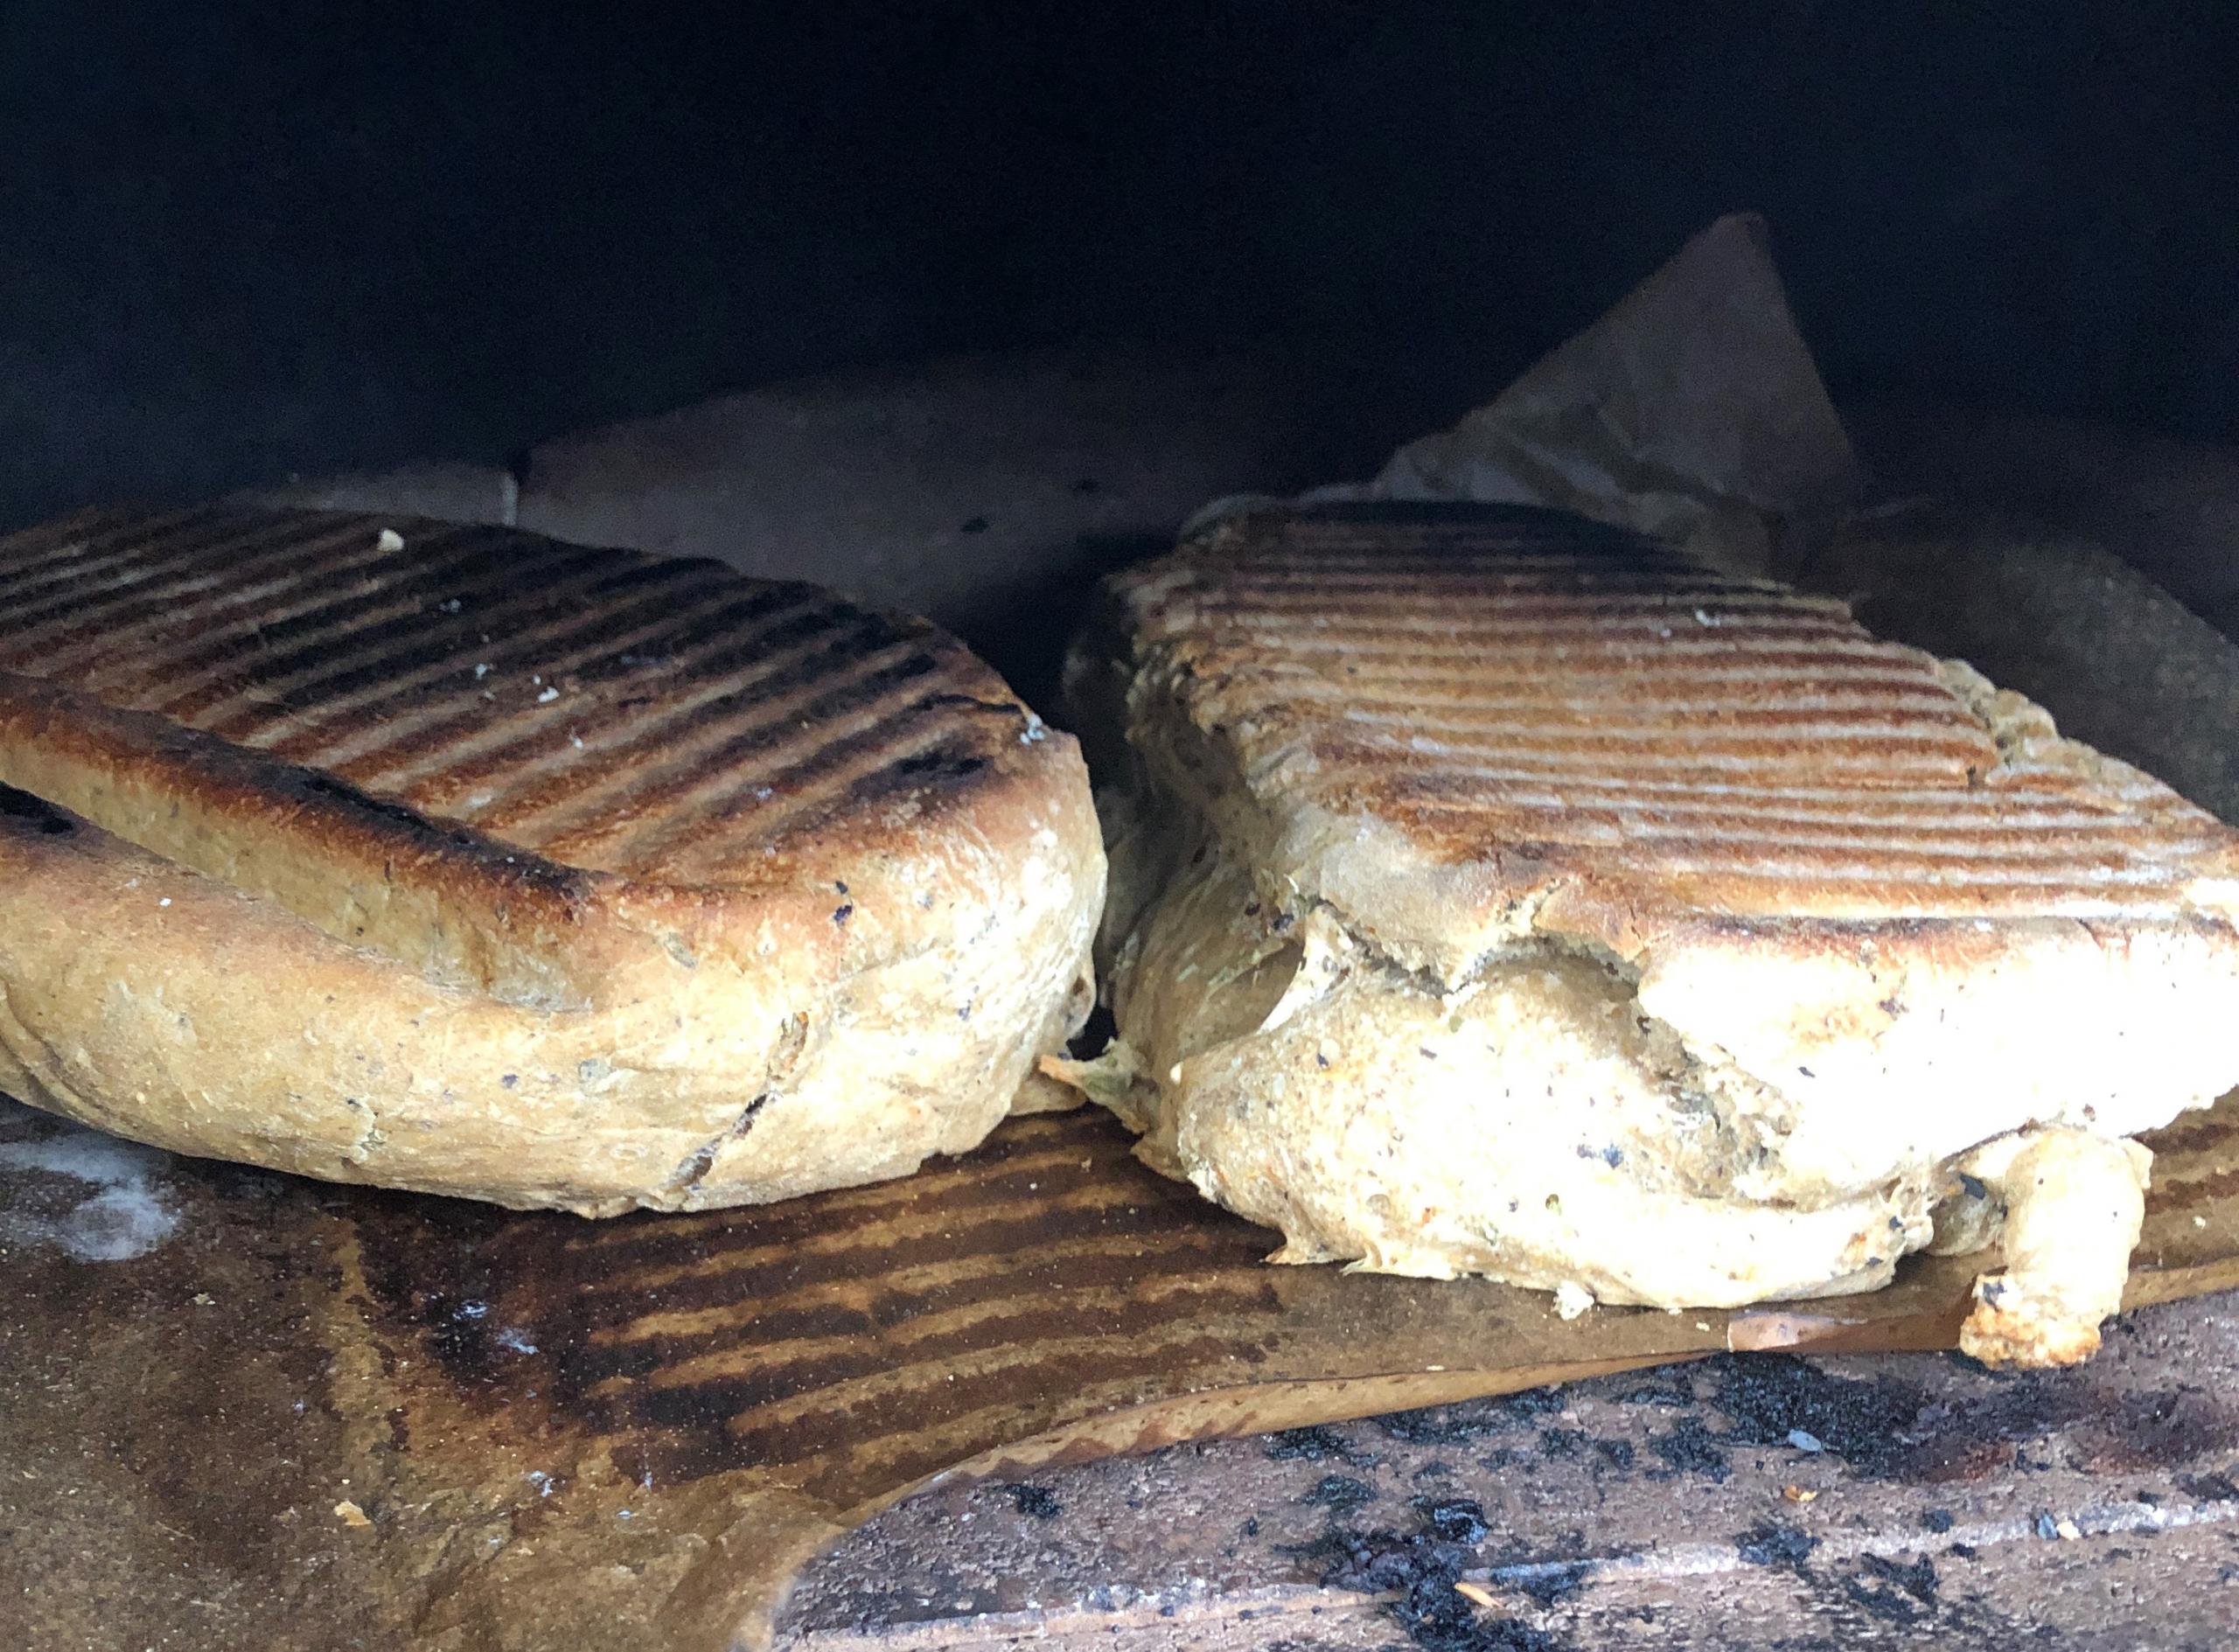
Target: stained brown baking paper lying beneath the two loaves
(324,1418)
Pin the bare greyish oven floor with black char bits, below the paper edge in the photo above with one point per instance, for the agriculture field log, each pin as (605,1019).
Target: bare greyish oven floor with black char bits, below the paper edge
(1736,1503)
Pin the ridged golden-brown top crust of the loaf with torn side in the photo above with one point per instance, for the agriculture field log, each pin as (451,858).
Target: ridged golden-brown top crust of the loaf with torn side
(1468,724)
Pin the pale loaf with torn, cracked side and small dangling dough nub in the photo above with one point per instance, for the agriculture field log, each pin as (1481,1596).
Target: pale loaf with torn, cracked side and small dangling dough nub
(1503,894)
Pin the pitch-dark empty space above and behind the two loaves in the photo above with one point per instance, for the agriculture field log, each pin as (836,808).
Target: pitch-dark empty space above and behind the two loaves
(241,241)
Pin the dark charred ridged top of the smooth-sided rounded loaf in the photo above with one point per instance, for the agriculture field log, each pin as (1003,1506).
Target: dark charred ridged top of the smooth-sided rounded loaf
(321,639)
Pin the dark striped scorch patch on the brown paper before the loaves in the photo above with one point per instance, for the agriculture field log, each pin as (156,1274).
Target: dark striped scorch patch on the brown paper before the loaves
(697,1344)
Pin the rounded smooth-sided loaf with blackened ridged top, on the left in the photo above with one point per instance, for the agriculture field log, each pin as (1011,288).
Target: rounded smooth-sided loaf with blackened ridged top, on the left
(460,861)
